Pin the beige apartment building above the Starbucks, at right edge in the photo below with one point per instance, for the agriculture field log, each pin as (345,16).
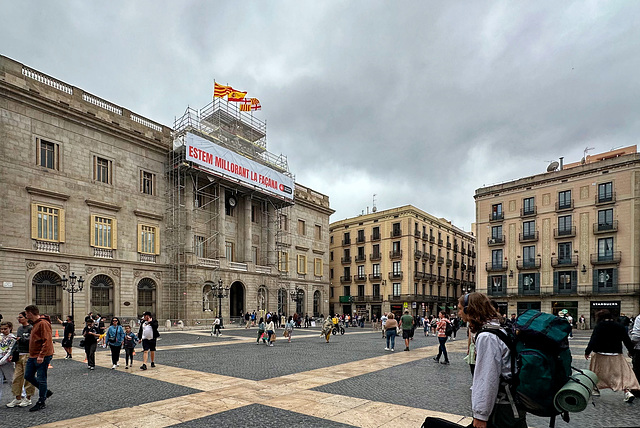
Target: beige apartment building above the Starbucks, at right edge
(563,239)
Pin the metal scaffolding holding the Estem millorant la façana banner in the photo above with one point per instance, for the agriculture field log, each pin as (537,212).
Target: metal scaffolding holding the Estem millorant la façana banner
(193,213)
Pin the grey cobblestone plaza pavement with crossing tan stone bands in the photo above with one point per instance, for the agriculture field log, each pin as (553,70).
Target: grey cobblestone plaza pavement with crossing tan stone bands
(230,381)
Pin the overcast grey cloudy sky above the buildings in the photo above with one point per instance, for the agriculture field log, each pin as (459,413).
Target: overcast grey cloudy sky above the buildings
(417,102)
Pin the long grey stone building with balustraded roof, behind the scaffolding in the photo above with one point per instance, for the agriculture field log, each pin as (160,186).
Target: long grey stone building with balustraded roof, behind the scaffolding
(88,189)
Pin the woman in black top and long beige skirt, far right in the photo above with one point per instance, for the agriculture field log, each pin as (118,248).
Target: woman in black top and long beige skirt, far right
(607,359)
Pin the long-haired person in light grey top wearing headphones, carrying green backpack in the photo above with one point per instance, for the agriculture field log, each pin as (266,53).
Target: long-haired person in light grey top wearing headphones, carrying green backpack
(489,398)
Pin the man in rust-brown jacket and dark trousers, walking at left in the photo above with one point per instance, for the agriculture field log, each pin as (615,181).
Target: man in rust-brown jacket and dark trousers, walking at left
(40,354)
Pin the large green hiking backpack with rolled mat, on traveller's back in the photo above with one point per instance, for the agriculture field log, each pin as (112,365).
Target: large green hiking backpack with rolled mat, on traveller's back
(540,361)
